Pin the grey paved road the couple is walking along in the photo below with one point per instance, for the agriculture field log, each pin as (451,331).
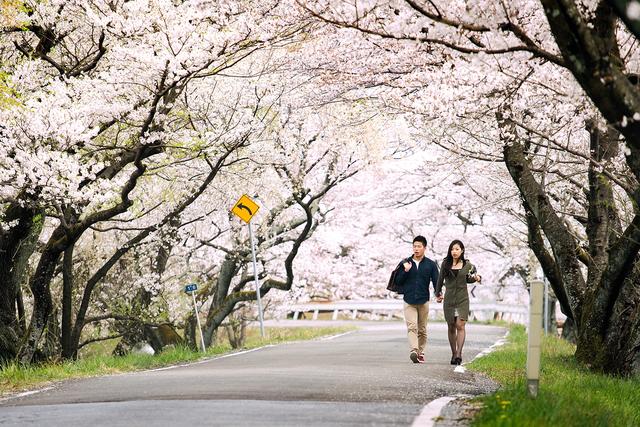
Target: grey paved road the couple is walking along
(361,378)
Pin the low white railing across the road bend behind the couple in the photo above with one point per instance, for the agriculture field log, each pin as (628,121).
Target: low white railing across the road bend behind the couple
(393,308)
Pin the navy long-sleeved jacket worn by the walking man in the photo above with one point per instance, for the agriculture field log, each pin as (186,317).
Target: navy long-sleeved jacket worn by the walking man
(415,282)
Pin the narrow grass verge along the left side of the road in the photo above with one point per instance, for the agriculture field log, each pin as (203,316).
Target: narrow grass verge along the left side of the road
(15,377)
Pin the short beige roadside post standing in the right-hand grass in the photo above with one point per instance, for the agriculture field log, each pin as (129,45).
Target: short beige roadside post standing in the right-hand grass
(535,337)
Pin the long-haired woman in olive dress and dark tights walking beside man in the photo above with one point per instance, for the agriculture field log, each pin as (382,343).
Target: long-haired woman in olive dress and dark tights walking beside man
(455,273)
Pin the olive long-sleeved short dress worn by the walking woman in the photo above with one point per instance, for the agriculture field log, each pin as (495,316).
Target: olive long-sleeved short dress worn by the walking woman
(456,295)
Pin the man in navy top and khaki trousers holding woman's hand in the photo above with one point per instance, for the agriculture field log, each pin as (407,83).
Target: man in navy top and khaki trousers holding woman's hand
(413,278)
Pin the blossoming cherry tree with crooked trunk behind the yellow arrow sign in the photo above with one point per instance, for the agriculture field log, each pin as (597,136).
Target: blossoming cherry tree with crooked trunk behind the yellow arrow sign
(310,156)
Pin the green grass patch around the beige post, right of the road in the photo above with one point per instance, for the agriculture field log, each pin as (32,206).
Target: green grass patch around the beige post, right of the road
(569,394)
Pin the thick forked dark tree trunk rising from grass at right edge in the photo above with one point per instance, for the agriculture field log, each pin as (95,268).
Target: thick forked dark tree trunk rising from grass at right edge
(606,307)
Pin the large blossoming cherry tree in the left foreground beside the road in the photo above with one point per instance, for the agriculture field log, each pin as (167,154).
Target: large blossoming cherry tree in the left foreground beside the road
(100,111)
